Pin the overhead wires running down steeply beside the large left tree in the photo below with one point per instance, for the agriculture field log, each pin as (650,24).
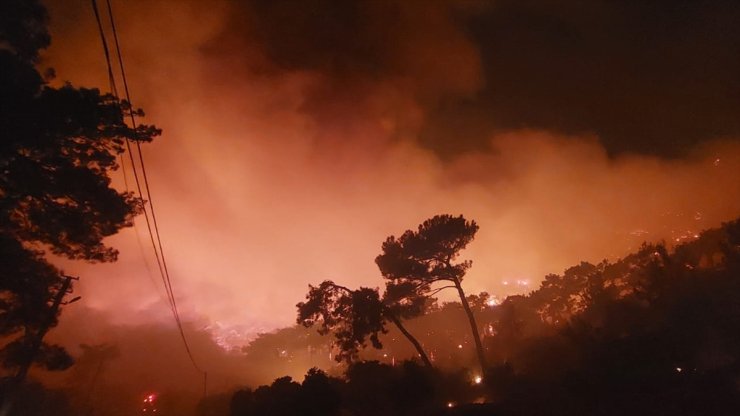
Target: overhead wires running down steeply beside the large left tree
(152,225)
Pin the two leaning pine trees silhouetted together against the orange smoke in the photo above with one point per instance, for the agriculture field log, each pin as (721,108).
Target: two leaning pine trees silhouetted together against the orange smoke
(411,264)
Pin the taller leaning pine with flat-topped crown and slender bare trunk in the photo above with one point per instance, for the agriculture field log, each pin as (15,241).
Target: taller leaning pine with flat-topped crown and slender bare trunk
(418,260)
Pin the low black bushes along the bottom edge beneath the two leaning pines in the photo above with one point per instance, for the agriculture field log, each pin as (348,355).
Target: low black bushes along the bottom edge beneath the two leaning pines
(368,388)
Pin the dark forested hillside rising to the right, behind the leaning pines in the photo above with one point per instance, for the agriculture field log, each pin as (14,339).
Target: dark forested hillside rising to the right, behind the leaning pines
(654,332)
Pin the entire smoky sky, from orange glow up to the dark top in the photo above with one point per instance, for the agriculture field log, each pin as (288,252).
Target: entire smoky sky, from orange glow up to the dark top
(296,139)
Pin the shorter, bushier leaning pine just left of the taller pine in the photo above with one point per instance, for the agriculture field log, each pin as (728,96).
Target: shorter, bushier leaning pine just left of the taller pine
(354,316)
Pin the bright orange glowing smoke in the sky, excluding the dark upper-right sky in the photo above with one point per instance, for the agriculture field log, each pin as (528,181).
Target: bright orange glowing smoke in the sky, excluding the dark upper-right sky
(269,178)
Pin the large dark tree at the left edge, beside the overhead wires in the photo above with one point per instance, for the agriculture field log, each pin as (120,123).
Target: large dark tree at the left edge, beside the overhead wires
(58,148)
